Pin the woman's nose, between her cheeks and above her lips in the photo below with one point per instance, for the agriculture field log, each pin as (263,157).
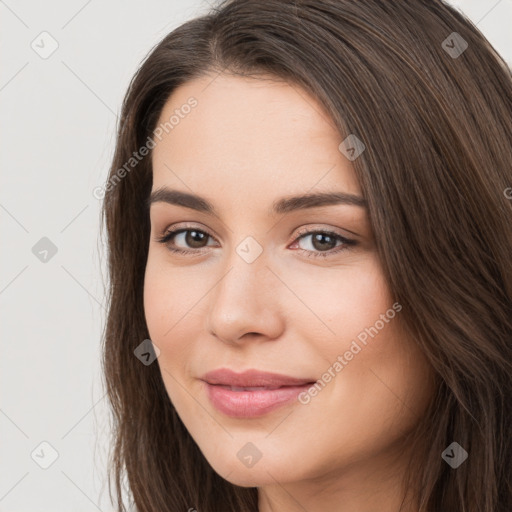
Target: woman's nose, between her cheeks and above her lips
(245,304)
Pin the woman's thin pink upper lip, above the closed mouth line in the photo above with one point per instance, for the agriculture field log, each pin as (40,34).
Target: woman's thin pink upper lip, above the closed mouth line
(252,378)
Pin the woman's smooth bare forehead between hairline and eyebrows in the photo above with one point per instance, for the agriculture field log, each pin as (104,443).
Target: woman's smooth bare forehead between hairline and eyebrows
(245,135)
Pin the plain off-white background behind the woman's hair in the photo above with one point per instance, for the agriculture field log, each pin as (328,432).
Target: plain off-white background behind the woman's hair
(57,133)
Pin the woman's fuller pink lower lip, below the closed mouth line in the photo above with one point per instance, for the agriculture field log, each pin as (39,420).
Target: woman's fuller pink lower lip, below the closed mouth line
(250,404)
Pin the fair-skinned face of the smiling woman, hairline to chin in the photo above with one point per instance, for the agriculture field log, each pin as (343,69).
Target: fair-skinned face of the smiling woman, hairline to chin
(298,291)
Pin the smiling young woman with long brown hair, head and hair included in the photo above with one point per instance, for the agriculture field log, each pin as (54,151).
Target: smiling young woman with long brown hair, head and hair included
(309,238)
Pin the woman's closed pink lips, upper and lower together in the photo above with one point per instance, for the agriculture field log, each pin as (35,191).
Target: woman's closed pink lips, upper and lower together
(251,403)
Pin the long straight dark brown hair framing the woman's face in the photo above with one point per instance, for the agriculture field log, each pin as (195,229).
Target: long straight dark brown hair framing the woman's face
(431,99)
